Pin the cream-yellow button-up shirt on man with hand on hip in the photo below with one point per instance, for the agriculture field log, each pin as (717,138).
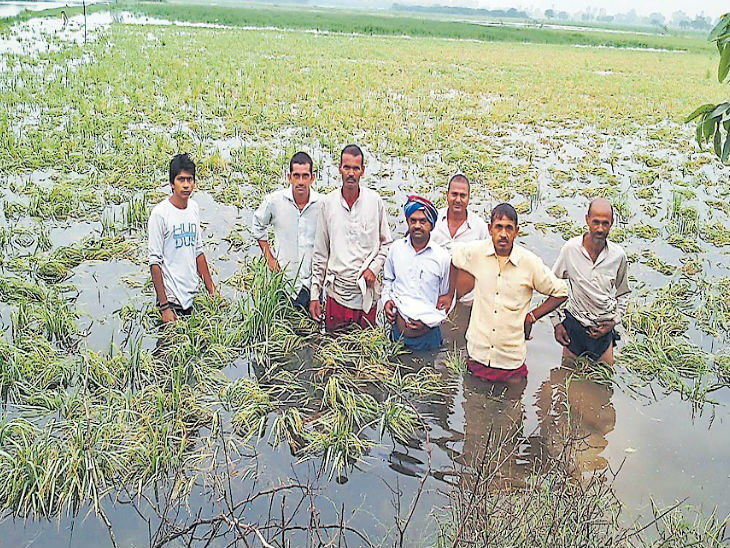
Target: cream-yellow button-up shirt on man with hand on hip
(496,336)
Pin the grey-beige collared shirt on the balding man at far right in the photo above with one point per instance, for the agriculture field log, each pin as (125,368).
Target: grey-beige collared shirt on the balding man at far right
(598,291)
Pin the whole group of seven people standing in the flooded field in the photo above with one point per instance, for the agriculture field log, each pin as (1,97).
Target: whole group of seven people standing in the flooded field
(338,251)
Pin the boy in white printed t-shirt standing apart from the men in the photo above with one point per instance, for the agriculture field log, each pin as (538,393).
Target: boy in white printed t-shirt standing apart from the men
(176,244)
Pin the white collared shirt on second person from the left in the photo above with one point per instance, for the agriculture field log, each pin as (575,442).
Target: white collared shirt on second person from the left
(294,232)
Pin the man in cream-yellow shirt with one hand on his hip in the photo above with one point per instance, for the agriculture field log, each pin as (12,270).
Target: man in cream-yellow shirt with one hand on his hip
(505,274)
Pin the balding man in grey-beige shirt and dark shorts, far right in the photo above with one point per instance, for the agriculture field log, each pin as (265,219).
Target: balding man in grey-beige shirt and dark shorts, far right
(597,273)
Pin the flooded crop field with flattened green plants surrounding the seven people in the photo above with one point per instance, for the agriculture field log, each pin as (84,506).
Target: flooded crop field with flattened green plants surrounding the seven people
(245,424)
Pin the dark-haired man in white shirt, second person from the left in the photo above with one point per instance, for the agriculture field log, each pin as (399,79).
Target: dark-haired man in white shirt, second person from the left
(293,213)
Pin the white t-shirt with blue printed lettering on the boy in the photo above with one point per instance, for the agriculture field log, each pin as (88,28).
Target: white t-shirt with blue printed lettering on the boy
(175,241)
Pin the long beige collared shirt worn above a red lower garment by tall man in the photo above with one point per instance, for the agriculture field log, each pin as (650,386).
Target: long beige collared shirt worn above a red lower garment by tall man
(348,242)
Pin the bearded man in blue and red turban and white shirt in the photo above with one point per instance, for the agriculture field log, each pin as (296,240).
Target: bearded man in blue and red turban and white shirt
(416,274)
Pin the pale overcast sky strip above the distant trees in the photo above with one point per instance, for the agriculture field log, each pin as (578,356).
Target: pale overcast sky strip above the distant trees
(714,8)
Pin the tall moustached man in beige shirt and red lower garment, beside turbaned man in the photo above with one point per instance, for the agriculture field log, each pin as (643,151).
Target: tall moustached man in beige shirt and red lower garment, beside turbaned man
(350,247)
